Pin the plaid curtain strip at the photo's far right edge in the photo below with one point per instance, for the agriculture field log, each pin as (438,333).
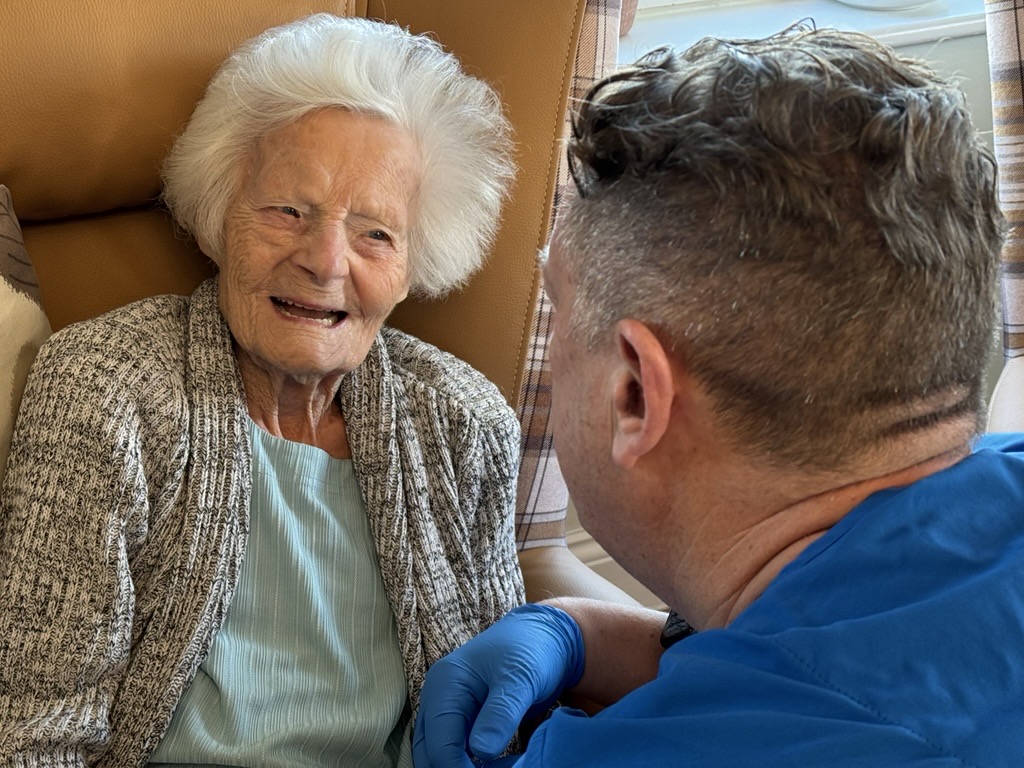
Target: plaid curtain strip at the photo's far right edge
(1005,20)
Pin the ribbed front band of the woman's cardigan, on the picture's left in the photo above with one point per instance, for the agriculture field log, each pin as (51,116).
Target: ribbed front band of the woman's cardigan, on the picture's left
(203,571)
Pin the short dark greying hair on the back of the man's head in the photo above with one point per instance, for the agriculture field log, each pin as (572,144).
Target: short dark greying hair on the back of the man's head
(808,223)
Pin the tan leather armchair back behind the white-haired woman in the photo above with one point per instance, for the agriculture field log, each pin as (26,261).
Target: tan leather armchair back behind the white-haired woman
(95,94)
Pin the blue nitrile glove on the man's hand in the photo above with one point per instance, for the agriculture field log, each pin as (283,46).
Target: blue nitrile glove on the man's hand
(475,699)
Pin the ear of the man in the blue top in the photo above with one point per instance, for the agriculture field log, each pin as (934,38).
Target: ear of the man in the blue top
(644,389)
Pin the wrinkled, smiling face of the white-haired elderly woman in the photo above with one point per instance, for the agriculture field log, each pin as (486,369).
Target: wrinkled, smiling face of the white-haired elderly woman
(317,243)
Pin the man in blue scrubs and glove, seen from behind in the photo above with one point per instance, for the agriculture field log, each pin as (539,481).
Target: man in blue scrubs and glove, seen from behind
(775,295)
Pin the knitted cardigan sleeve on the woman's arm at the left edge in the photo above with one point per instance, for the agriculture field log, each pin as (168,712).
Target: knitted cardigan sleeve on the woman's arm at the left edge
(73,510)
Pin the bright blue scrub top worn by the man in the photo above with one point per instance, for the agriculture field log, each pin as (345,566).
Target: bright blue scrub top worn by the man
(897,639)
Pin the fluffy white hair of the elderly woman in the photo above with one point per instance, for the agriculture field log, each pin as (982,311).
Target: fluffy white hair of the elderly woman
(370,68)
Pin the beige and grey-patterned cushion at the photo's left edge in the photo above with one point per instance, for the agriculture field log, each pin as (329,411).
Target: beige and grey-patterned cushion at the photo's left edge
(22,318)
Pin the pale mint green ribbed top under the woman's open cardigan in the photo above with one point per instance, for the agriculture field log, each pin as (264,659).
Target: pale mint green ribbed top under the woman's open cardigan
(307,670)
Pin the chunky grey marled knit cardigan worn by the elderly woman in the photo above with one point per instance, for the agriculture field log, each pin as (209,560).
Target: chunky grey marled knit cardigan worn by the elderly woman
(125,510)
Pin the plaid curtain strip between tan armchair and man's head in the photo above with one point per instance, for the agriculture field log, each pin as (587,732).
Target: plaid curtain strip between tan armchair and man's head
(542,496)
